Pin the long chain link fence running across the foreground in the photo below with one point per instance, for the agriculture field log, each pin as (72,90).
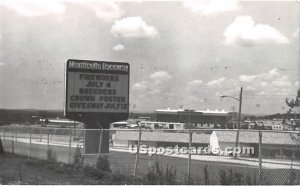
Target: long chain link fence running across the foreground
(192,156)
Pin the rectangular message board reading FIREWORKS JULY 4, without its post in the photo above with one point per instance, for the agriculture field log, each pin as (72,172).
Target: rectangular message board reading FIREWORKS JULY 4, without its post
(96,87)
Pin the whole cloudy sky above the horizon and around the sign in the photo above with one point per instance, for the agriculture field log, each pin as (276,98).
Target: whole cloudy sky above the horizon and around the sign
(182,54)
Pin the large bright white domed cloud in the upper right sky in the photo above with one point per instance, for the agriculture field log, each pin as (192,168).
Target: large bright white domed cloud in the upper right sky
(244,31)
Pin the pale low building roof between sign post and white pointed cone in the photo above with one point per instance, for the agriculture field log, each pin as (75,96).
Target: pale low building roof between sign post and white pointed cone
(162,137)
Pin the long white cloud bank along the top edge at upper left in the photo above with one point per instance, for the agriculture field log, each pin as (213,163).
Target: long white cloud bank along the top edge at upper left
(106,10)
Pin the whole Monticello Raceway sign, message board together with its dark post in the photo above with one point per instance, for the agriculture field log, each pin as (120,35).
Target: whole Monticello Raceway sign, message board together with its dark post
(97,94)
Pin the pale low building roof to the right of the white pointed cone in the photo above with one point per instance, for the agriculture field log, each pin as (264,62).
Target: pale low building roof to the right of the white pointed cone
(278,138)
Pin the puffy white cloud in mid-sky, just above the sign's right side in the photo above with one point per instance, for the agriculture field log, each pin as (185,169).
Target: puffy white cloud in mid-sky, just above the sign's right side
(134,27)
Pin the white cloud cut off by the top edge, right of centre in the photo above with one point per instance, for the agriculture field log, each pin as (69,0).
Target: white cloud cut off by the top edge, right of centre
(208,7)
